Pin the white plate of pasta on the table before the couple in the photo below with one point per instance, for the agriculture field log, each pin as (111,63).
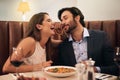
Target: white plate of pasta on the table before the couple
(60,71)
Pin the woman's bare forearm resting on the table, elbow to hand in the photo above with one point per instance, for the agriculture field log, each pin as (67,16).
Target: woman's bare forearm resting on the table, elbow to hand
(25,68)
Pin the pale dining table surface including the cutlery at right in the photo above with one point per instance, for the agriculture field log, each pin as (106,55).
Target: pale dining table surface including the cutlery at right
(42,74)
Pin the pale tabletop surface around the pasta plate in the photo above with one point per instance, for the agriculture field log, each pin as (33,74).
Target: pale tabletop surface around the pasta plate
(10,76)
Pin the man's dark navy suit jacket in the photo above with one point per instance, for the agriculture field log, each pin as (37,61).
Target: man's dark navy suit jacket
(99,49)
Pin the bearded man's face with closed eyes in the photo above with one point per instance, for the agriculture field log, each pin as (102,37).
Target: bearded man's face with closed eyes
(68,21)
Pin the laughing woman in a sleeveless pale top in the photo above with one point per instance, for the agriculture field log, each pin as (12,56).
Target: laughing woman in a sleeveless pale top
(40,29)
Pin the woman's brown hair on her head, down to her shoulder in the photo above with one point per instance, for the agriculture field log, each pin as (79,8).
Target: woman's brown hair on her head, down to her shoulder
(32,30)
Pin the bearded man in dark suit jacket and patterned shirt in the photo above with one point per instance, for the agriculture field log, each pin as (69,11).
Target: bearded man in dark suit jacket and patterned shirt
(83,44)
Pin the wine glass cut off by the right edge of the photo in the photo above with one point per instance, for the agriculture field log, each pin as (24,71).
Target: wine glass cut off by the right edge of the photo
(117,60)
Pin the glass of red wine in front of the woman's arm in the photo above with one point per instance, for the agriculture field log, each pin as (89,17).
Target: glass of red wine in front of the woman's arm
(16,58)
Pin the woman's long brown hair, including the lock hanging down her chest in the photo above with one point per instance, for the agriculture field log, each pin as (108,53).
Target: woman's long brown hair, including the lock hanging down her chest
(32,31)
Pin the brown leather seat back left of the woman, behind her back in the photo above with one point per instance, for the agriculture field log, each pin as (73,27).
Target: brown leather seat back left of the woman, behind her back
(11,32)
